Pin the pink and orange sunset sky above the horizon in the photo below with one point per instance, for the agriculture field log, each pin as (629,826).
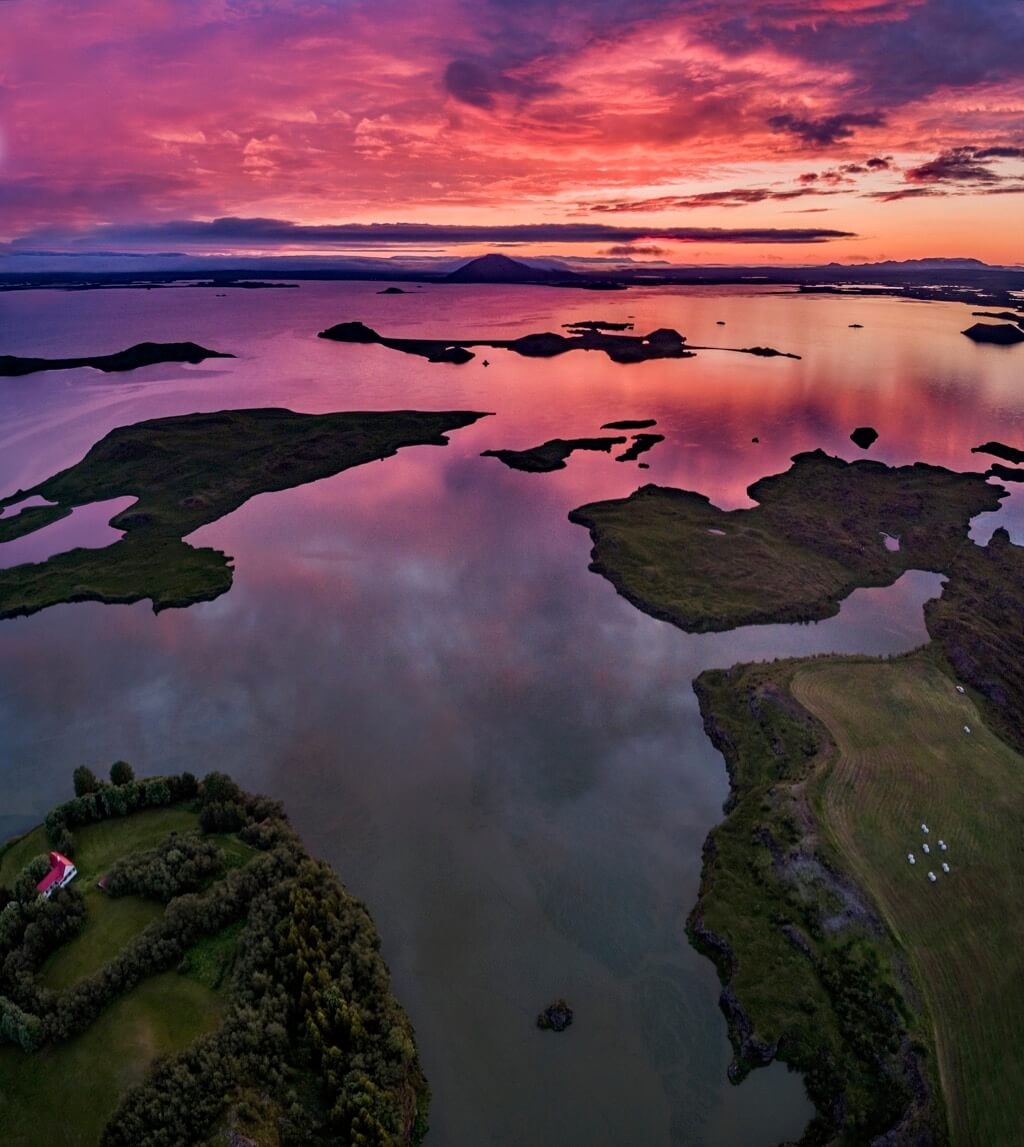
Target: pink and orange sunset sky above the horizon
(897,122)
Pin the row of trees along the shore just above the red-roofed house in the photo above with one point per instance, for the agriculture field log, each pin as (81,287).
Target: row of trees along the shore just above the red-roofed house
(96,801)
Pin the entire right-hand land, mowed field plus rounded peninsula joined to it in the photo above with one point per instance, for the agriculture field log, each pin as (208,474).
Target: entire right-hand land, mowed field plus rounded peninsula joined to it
(894,988)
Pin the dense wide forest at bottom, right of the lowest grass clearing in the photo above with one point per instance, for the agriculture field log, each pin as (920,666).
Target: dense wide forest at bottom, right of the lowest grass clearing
(310,994)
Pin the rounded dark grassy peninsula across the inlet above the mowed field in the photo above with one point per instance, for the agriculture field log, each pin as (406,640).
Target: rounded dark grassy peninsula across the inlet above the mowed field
(816,536)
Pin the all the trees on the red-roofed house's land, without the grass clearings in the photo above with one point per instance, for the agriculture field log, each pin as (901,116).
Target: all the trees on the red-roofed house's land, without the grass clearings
(309,998)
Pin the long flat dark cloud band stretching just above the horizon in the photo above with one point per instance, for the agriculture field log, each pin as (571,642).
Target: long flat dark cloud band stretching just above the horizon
(239,233)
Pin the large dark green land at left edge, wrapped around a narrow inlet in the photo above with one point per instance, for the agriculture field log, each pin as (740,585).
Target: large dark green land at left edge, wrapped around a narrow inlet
(187,472)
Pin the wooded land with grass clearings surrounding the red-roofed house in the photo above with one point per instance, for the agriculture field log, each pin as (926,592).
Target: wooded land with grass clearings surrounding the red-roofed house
(222,982)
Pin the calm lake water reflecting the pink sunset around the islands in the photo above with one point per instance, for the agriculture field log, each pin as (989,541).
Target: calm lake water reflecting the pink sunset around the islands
(496,752)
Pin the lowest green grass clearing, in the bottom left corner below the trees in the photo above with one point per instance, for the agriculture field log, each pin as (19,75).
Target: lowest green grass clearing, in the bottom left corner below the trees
(65,1096)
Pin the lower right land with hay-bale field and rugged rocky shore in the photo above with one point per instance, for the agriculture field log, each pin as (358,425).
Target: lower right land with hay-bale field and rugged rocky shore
(901,1000)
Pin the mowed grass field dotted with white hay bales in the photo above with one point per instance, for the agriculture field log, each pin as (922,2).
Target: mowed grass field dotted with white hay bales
(904,759)
